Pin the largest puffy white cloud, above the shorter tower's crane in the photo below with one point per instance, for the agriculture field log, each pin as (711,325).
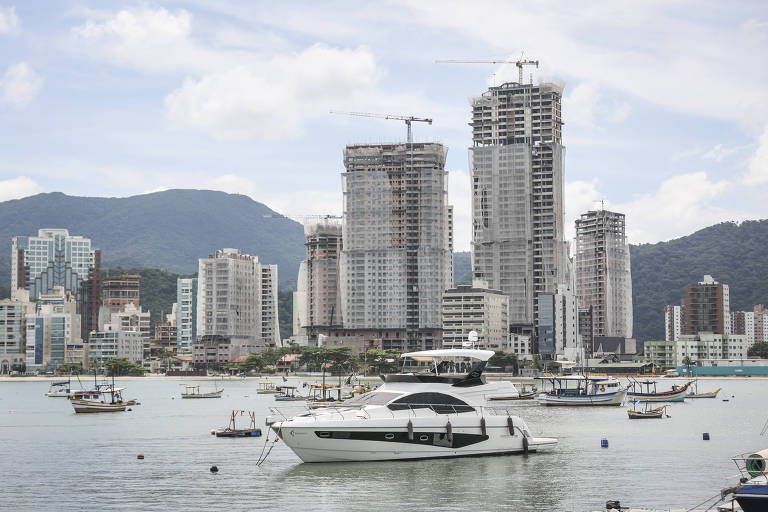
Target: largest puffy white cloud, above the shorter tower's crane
(273,100)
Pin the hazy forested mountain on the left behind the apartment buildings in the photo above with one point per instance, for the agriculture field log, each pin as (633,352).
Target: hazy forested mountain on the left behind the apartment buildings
(168,230)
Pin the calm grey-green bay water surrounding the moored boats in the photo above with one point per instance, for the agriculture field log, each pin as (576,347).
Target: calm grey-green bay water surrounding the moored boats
(53,459)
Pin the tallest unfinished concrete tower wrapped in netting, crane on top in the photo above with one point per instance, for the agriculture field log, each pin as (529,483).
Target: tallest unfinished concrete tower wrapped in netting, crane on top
(516,168)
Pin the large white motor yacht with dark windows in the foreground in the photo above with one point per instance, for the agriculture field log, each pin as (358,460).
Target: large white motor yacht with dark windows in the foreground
(433,413)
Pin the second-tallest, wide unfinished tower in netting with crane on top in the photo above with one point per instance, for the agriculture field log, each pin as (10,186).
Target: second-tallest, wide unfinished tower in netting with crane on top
(395,262)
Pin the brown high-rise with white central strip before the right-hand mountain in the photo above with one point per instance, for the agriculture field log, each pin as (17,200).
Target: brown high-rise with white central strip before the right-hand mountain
(707,307)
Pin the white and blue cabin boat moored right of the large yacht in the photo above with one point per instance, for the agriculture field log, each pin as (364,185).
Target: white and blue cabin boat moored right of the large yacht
(582,390)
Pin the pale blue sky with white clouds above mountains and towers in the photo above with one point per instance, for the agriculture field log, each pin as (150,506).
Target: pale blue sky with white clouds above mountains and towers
(665,102)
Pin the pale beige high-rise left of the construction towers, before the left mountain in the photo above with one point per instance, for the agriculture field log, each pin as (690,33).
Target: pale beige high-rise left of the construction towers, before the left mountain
(237,299)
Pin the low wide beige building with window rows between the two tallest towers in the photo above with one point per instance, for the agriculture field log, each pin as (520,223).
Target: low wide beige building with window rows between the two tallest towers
(475,308)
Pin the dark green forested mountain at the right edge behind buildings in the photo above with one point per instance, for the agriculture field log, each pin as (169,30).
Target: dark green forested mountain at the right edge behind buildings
(734,254)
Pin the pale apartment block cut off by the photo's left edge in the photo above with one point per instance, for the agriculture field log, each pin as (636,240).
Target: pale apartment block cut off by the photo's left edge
(13,331)
